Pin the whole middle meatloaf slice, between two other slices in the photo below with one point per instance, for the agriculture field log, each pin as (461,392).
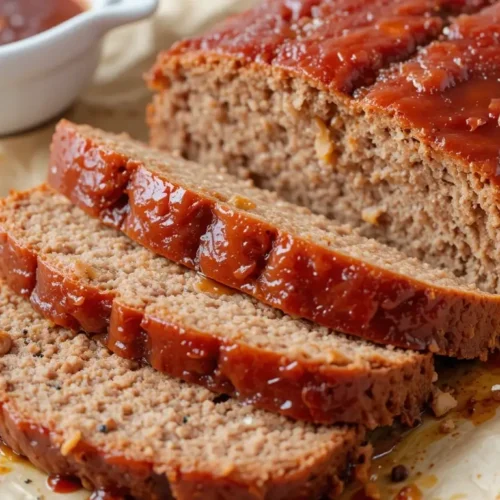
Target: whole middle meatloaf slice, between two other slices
(84,275)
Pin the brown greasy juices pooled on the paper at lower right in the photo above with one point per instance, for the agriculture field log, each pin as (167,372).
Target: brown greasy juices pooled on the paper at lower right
(471,384)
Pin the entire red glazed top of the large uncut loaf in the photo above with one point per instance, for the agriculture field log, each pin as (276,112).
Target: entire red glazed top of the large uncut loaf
(446,97)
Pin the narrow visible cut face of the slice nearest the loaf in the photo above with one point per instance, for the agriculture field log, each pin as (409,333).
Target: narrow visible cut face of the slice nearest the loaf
(212,182)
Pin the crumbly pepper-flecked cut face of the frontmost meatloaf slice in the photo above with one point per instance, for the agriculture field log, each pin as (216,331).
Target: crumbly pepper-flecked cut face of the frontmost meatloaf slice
(72,385)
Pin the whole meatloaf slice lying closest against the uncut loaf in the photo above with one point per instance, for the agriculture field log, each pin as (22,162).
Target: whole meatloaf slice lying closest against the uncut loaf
(249,239)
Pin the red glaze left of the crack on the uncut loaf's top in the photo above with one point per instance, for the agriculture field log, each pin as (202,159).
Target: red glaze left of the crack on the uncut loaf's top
(337,44)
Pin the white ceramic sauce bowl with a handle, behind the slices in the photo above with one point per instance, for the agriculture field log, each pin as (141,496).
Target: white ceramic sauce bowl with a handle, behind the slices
(42,75)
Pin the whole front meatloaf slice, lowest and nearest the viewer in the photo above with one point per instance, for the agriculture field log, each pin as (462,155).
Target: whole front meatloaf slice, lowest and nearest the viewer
(73,408)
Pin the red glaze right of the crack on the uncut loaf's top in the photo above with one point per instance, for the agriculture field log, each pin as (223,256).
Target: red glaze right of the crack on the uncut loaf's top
(449,95)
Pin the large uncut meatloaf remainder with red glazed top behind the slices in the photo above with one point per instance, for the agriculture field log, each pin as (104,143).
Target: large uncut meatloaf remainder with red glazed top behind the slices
(293,95)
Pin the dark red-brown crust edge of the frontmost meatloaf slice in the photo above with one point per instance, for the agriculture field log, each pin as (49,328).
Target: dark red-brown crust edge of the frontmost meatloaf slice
(94,467)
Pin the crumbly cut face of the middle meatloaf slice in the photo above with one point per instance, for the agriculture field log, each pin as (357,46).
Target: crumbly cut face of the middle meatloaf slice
(91,253)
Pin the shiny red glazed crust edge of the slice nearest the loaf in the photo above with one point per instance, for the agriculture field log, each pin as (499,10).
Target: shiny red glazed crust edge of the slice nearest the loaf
(287,272)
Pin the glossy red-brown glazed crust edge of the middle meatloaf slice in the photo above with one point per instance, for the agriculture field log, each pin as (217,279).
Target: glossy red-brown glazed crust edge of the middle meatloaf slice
(369,395)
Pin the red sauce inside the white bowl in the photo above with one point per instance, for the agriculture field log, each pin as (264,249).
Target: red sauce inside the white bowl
(21,19)
